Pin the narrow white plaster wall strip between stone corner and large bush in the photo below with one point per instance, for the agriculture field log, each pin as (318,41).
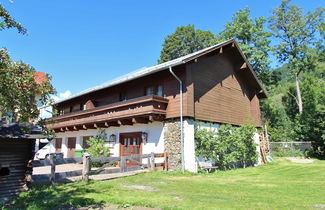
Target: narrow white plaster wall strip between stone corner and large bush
(189,146)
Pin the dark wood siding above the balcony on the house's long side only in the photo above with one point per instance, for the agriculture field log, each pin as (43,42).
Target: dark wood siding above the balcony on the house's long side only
(136,88)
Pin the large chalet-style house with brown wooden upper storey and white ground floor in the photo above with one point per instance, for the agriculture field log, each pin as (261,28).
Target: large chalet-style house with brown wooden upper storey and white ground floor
(141,111)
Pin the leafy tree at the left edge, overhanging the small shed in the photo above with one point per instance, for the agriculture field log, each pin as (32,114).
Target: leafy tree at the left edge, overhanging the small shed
(18,88)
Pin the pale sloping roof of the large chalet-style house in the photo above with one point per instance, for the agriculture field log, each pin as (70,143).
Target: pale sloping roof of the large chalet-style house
(163,66)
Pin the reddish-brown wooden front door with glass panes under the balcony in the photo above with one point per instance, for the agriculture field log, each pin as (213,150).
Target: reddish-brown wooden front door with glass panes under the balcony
(130,144)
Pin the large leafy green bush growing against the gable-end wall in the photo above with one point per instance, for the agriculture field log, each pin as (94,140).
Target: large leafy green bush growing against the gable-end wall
(228,147)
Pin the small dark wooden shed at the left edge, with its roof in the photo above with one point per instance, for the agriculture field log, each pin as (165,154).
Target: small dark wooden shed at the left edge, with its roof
(17,145)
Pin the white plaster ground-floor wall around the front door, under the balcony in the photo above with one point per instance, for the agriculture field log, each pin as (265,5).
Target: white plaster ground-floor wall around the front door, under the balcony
(155,137)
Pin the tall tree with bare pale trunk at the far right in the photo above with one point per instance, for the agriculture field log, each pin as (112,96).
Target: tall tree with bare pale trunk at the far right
(297,34)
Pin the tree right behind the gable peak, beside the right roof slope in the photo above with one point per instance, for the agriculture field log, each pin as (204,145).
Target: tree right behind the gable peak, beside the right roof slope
(253,40)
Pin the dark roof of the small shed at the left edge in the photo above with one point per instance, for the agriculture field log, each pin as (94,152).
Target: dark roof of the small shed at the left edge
(17,131)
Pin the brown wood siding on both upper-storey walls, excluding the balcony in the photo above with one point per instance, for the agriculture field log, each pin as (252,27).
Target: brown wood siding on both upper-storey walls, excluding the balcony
(215,89)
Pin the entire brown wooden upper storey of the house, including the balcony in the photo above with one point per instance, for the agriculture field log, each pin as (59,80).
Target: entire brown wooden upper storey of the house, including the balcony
(218,86)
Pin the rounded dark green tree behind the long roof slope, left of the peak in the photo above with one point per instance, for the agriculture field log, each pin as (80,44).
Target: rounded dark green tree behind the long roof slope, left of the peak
(185,40)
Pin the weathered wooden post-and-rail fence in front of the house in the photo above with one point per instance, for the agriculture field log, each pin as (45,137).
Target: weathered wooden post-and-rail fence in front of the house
(87,170)
